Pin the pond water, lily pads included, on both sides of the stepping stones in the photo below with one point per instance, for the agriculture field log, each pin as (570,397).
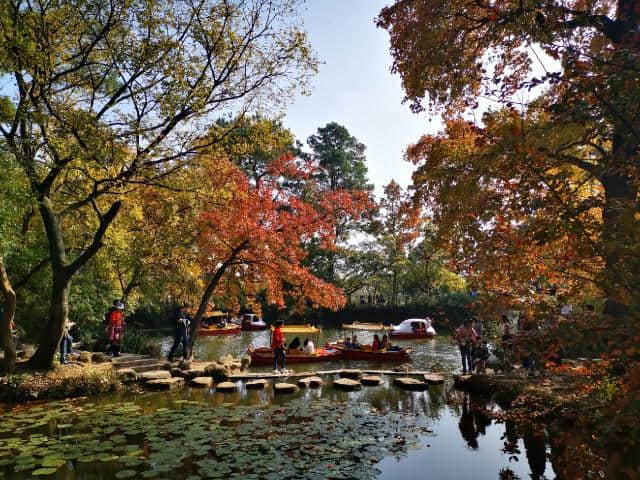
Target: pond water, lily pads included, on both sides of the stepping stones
(379,432)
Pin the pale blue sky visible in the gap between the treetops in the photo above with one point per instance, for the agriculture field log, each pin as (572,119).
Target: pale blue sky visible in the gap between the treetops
(355,88)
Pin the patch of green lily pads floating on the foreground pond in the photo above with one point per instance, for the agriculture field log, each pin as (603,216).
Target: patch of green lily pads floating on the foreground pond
(312,440)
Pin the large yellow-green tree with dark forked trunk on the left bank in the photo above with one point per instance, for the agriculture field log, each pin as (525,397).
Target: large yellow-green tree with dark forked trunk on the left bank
(105,96)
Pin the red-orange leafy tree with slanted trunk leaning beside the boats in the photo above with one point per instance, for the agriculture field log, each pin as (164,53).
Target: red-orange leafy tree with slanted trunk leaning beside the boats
(256,237)
